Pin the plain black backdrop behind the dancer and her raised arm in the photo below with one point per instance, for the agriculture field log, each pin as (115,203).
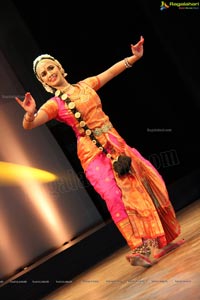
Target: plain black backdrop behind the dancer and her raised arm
(160,92)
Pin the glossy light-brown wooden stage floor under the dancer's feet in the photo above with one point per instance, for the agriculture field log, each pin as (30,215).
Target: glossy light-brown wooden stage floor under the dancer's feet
(174,277)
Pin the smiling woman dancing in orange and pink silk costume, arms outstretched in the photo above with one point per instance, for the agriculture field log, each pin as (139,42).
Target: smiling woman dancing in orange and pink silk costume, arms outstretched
(134,191)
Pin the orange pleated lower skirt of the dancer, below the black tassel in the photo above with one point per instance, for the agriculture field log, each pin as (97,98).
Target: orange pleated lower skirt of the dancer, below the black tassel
(149,211)
